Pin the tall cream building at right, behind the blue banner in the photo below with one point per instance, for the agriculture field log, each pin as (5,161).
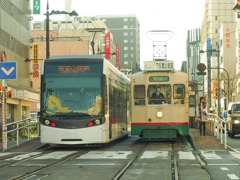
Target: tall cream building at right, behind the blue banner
(216,13)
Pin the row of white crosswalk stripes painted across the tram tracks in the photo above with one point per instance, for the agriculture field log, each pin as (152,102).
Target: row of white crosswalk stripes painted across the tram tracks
(181,155)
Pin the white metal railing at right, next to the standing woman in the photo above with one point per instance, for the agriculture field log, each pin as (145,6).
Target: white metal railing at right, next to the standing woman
(218,127)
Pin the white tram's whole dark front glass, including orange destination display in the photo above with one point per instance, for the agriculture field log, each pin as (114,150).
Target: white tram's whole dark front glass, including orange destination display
(72,89)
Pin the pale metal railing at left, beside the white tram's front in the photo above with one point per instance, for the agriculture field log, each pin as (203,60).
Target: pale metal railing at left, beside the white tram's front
(25,125)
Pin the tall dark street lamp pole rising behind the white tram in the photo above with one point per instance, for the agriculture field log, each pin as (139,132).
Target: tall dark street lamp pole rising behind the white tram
(73,13)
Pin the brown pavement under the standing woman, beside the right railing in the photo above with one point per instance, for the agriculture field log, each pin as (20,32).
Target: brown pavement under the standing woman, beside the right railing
(204,143)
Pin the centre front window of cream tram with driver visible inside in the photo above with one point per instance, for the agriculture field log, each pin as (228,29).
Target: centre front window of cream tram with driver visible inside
(159,94)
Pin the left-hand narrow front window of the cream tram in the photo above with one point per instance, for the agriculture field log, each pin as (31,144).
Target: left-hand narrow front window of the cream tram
(139,95)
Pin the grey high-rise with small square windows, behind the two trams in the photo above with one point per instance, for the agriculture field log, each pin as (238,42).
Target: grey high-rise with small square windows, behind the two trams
(126,32)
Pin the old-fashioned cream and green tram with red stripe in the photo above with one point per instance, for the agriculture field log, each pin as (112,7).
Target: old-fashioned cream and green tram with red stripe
(159,102)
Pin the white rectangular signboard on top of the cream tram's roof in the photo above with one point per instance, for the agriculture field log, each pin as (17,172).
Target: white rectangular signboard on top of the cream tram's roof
(158,66)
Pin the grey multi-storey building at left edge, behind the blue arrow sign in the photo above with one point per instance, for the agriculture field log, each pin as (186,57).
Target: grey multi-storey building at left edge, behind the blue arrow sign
(14,43)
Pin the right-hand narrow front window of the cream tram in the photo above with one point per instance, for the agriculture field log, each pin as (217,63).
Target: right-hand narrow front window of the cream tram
(179,93)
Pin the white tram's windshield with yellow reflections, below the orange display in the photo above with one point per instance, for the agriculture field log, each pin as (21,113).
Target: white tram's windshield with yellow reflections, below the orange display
(75,96)
